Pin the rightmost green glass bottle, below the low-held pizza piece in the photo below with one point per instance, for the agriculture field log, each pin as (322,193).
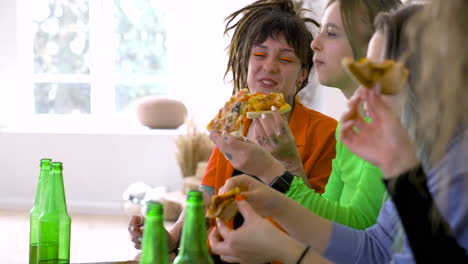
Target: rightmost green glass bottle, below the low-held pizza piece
(194,249)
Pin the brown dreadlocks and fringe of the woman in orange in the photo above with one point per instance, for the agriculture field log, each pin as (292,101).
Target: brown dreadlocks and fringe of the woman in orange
(261,20)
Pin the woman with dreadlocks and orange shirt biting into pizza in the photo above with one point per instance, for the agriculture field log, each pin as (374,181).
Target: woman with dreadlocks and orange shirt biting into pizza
(270,52)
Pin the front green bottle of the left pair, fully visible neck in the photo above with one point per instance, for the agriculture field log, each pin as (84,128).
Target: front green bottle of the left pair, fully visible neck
(54,222)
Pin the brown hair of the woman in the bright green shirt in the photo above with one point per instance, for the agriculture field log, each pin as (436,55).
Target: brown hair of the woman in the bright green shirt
(358,20)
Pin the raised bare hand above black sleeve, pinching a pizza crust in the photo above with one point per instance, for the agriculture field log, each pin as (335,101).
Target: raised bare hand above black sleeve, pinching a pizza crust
(383,142)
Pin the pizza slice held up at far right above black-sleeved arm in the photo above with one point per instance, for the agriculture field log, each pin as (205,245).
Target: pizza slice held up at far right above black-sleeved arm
(390,74)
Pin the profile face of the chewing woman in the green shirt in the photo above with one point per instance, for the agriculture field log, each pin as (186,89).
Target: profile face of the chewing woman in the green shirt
(330,47)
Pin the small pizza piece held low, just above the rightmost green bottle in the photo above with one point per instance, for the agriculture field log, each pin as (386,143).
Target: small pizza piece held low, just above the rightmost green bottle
(223,205)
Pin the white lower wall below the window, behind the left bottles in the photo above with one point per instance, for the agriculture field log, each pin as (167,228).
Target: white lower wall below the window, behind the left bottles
(97,167)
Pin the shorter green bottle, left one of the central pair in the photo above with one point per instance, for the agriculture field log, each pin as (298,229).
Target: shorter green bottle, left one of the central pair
(154,244)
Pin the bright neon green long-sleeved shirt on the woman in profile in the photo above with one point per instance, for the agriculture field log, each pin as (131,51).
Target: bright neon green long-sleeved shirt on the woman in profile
(353,195)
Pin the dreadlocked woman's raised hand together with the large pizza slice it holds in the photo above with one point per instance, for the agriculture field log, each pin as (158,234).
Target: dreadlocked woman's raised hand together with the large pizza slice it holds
(227,131)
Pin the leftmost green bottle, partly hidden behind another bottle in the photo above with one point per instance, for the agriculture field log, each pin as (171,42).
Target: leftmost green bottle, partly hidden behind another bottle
(37,210)
